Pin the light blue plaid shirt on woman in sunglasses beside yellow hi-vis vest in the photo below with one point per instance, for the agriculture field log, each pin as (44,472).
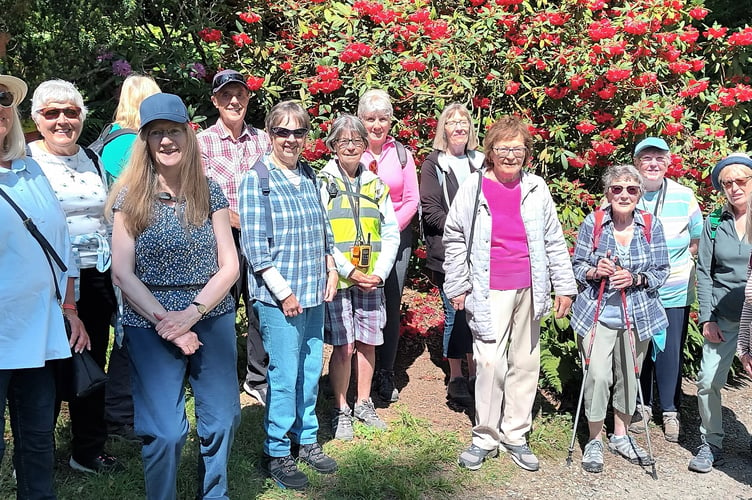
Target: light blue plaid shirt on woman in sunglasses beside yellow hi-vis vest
(301,241)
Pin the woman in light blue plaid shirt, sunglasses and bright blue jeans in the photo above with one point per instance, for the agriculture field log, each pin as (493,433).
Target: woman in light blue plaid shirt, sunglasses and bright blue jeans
(291,274)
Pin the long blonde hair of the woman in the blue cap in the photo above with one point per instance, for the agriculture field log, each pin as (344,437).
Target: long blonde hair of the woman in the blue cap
(140,179)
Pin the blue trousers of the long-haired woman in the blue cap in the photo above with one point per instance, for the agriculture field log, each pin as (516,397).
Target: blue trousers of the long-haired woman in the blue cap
(158,371)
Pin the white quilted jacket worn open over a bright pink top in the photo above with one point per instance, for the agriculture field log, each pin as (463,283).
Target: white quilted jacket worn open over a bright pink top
(549,256)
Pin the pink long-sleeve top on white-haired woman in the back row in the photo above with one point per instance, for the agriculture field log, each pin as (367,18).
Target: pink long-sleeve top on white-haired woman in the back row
(402,182)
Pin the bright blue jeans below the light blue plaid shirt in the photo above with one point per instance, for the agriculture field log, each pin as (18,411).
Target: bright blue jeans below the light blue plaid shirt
(296,348)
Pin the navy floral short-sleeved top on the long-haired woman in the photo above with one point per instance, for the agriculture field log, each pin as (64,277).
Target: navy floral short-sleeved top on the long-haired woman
(175,262)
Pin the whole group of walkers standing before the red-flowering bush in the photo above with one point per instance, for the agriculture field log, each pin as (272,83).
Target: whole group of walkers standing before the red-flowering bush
(168,232)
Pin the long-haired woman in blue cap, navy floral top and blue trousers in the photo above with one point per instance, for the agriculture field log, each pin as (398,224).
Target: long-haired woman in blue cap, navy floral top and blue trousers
(175,261)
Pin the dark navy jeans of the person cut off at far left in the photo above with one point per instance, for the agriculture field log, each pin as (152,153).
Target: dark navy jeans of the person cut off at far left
(30,394)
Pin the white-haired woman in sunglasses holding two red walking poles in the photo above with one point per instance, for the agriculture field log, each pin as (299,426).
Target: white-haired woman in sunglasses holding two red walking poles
(620,262)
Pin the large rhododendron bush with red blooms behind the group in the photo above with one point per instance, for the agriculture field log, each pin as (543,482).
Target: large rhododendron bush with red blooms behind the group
(592,77)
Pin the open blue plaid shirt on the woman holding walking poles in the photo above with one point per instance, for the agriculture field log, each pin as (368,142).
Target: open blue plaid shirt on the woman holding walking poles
(647,315)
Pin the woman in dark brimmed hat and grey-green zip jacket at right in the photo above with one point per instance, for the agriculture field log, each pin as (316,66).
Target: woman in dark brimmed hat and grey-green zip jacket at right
(723,258)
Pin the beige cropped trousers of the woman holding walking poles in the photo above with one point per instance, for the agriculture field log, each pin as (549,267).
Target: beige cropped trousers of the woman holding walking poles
(611,364)
